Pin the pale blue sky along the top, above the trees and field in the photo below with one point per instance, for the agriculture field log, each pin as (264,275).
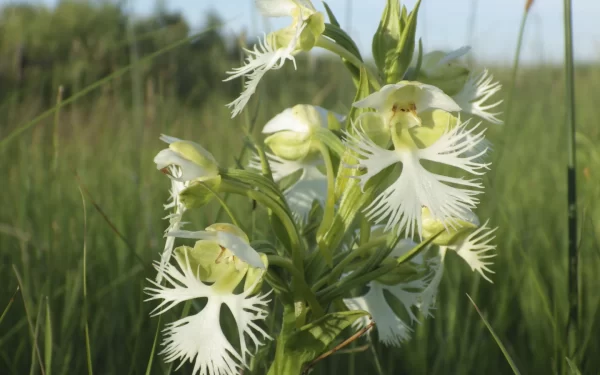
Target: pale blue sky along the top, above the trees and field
(443,24)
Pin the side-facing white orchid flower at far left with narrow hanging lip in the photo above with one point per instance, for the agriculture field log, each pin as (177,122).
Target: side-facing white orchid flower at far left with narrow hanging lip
(182,161)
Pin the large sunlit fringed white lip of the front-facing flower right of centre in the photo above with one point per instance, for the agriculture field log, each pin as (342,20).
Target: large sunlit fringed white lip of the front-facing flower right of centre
(449,199)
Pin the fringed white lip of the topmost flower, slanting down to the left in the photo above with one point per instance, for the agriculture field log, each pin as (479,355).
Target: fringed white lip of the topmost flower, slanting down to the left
(261,59)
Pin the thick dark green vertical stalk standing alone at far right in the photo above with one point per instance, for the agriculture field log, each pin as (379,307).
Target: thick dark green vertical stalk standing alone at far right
(573,320)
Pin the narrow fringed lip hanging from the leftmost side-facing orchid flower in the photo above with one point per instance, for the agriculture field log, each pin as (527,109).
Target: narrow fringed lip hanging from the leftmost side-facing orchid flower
(175,221)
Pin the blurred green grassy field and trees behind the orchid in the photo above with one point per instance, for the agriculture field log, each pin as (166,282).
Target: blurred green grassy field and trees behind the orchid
(109,140)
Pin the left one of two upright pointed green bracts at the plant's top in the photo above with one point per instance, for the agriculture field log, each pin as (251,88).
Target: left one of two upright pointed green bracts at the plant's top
(388,33)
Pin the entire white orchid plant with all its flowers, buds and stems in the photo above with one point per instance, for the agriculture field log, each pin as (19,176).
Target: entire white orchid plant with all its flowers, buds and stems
(363,205)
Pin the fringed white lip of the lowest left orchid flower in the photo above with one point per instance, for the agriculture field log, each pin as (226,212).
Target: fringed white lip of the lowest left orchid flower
(199,338)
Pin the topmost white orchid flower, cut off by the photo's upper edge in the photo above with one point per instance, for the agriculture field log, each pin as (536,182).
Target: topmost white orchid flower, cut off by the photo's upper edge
(272,52)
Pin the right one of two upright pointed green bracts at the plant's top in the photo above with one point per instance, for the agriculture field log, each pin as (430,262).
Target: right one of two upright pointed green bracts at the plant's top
(398,61)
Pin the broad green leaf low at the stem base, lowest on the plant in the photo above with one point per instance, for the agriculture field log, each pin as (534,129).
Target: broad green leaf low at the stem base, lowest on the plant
(316,338)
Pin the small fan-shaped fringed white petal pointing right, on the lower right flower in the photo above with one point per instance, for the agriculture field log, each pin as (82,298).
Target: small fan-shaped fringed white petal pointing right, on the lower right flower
(477,251)
